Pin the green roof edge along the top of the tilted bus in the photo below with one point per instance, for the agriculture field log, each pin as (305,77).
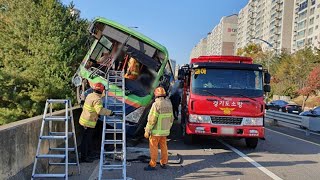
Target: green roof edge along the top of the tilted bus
(133,33)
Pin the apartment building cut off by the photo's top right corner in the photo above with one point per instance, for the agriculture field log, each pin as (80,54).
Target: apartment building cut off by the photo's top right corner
(306,26)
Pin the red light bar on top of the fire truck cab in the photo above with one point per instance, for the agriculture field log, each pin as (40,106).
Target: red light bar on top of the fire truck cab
(222,59)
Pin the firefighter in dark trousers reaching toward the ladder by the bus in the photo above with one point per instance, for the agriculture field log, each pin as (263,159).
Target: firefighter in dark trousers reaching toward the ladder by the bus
(88,119)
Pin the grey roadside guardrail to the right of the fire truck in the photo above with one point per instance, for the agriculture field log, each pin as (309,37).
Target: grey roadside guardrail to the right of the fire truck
(310,123)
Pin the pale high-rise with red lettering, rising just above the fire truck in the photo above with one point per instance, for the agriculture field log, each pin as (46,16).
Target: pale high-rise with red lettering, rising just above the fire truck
(220,41)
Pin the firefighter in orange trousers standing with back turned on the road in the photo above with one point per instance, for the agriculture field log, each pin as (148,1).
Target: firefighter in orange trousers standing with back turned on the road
(160,120)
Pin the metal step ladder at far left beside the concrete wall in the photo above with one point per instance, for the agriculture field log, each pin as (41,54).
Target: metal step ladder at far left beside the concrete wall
(55,153)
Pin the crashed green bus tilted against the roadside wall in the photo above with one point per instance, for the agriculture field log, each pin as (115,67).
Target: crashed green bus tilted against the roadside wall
(124,44)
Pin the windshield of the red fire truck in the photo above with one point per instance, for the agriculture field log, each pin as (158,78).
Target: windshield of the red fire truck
(227,82)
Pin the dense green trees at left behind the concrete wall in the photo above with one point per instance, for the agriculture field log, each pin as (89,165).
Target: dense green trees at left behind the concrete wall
(42,45)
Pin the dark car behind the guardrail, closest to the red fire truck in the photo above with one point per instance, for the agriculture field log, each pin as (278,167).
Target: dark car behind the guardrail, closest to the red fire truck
(283,106)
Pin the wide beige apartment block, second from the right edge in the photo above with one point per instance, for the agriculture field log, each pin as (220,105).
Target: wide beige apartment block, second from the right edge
(266,22)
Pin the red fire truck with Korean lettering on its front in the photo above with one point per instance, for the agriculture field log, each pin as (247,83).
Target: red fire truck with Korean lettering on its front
(223,96)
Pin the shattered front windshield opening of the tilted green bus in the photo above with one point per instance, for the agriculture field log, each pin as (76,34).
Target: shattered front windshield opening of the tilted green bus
(140,61)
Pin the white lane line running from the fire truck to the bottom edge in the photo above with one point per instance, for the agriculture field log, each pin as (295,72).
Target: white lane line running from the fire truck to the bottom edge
(257,165)
